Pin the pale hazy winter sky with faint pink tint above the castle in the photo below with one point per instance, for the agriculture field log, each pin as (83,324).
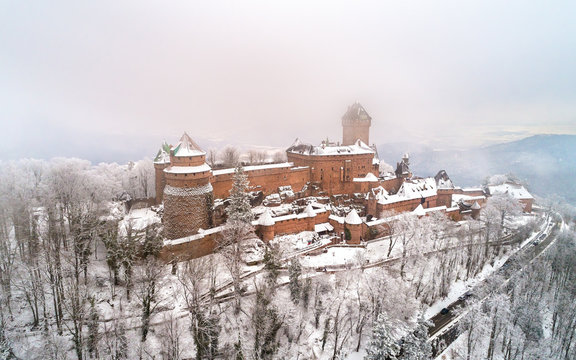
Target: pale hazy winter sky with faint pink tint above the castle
(109,80)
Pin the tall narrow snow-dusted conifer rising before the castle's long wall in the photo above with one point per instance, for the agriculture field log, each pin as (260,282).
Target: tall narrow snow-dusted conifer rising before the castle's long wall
(239,208)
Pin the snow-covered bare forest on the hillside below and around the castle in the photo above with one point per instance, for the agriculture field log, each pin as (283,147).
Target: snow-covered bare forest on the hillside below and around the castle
(81,279)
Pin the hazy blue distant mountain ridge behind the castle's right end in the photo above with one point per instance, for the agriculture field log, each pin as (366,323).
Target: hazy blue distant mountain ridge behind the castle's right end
(546,163)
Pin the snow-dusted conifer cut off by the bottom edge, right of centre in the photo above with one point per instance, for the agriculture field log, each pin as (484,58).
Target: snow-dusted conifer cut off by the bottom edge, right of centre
(382,346)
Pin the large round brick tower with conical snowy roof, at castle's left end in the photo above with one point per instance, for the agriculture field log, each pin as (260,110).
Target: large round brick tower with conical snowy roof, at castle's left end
(188,192)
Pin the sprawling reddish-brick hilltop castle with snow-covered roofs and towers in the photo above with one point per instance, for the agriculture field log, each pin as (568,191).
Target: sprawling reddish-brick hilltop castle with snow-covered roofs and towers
(190,190)
